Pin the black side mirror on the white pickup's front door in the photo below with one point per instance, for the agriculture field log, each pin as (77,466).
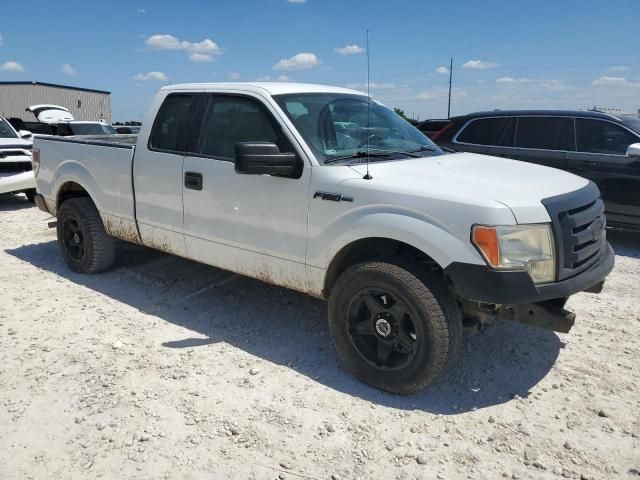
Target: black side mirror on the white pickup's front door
(264,158)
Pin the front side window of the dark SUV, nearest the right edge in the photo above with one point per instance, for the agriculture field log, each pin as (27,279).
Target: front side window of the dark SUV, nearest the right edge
(596,136)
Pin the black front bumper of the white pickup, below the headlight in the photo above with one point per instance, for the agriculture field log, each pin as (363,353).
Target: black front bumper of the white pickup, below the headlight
(482,284)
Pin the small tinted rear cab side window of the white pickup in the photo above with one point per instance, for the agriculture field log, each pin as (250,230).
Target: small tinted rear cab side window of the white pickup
(171,122)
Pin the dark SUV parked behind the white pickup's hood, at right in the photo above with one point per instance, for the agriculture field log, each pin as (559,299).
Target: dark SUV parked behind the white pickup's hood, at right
(593,145)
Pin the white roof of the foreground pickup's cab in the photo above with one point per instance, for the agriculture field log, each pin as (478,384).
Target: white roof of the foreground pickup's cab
(272,88)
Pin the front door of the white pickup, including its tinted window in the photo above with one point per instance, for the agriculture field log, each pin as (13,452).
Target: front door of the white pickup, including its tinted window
(255,225)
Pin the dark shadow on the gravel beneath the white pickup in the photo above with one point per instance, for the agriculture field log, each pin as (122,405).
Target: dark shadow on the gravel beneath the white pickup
(289,328)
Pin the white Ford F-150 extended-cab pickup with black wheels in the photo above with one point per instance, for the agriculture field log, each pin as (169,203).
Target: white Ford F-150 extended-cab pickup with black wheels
(326,191)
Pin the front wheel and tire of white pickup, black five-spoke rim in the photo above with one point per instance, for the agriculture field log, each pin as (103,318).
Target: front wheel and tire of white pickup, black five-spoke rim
(393,328)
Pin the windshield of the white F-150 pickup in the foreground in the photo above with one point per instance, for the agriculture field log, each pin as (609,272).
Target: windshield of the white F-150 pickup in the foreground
(338,125)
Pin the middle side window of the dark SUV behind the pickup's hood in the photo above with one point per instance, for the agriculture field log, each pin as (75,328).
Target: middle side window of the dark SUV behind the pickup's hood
(546,133)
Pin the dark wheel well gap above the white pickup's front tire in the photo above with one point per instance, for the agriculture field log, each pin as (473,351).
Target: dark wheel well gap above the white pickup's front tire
(369,249)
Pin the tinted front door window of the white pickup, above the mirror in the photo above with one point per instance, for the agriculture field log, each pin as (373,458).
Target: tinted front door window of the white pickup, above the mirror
(230,120)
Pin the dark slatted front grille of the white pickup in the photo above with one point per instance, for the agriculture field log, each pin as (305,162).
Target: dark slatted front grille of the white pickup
(578,223)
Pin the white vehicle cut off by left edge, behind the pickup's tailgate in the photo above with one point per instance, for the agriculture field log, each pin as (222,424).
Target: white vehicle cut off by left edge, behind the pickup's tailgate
(15,161)
